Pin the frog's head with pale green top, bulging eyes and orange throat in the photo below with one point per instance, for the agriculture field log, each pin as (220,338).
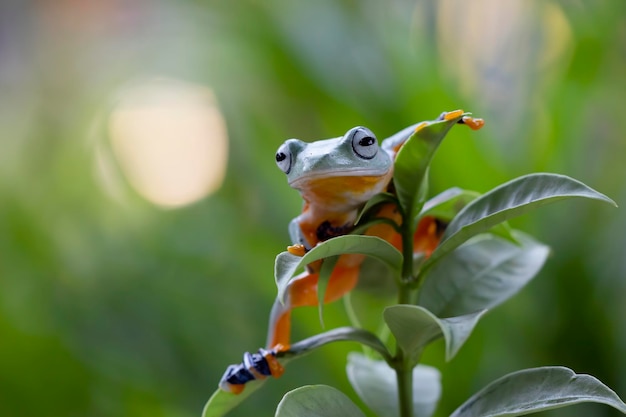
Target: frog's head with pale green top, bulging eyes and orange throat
(339,171)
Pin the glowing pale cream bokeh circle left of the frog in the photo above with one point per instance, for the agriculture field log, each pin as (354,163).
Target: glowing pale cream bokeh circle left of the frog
(170,141)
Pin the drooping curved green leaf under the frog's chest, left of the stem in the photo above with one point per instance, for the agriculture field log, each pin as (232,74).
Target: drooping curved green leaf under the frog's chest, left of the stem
(286,264)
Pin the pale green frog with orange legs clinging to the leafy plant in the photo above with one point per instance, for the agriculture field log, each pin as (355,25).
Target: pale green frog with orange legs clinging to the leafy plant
(336,177)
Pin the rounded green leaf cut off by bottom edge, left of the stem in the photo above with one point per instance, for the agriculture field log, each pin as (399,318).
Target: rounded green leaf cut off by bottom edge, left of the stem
(317,401)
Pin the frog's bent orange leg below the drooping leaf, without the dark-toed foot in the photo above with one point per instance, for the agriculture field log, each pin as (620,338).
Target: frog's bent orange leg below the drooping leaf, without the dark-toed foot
(302,291)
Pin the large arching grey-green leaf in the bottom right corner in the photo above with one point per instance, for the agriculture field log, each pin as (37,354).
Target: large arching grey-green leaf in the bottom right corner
(533,390)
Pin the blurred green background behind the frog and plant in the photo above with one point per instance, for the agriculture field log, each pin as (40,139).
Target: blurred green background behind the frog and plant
(129,280)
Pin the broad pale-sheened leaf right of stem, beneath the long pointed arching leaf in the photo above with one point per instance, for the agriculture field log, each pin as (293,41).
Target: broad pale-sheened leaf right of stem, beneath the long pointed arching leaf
(482,273)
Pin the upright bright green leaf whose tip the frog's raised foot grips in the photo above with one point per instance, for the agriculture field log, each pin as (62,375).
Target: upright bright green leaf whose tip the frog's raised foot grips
(413,160)
